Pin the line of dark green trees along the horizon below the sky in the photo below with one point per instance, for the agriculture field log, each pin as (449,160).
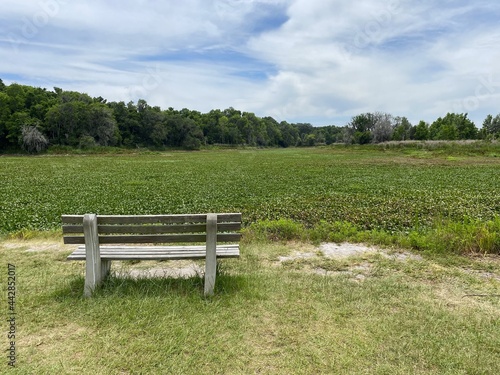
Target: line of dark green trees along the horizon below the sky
(33,118)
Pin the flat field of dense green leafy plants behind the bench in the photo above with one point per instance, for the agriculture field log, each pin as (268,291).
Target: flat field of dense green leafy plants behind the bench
(397,192)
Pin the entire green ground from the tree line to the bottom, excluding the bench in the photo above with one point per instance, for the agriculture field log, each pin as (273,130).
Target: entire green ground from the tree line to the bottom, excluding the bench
(426,312)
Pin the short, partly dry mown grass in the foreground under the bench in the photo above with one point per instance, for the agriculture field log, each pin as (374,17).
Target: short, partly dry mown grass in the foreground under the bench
(370,314)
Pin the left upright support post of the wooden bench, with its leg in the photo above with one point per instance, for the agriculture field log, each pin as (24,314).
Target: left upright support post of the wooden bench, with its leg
(93,270)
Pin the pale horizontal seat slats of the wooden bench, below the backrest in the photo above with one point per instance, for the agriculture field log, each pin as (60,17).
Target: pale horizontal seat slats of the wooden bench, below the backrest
(157,252)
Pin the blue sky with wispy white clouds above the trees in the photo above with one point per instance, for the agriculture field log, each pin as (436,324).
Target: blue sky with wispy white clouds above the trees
(315,61)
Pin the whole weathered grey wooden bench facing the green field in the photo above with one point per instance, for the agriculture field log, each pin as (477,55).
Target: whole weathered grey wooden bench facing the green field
(202,232)
